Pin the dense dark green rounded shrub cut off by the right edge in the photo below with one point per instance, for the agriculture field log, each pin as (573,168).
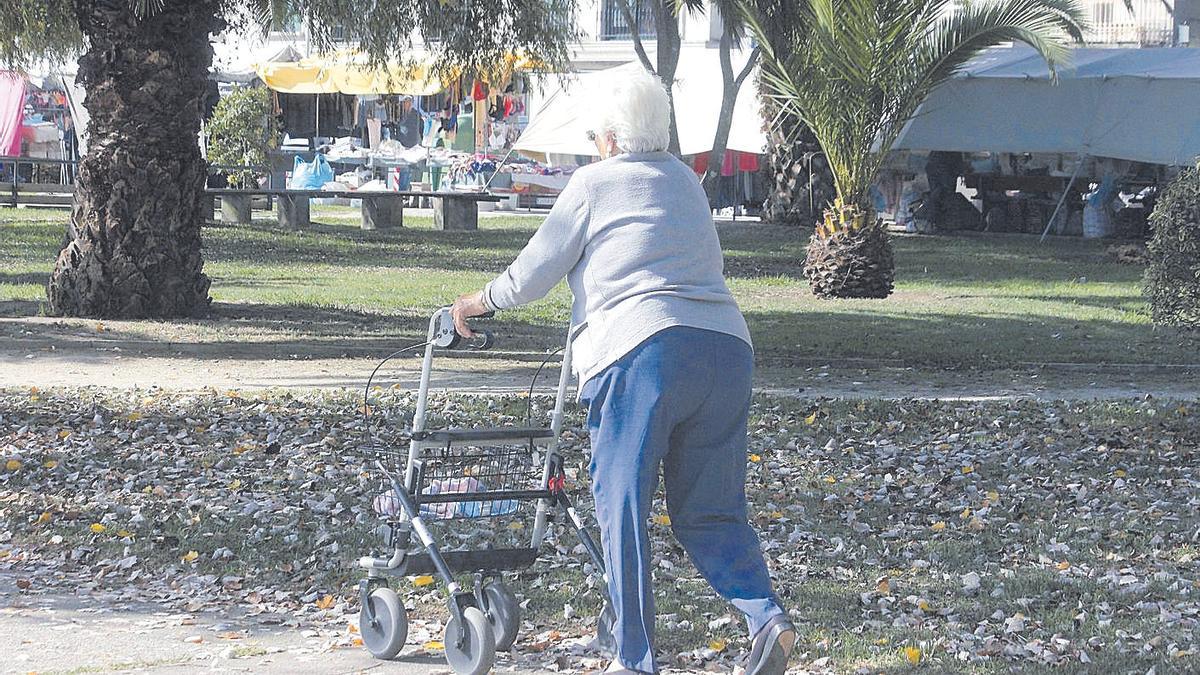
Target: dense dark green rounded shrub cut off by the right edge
(1173,282)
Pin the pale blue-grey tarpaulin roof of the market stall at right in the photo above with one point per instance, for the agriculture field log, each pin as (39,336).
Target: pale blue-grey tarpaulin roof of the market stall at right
(1138,105)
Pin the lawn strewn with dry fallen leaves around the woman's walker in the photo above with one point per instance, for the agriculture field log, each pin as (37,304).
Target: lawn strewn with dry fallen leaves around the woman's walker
(904,536)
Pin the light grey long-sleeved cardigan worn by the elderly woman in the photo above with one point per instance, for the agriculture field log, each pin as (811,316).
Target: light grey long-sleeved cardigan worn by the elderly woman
(637,242)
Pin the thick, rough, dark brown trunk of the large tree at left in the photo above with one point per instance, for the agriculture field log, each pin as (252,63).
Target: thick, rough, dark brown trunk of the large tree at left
(140,199)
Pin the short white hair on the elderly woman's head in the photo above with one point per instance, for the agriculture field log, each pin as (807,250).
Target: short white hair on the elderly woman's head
(638,112)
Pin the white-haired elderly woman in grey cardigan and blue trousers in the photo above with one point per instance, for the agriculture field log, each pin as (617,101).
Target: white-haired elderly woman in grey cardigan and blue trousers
(665,362)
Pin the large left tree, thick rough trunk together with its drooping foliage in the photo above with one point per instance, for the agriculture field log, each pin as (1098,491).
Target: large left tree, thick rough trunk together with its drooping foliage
(135,250)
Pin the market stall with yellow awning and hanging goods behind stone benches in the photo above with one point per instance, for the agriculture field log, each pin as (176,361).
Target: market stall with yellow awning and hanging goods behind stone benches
(397,127)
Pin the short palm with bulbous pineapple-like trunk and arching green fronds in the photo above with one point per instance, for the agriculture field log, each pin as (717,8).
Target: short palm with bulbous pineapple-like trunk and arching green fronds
(855,73)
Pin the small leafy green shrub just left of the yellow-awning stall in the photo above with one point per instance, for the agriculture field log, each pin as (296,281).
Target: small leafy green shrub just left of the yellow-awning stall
(242,133)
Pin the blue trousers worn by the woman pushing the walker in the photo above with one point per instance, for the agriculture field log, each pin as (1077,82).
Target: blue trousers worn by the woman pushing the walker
(681,399)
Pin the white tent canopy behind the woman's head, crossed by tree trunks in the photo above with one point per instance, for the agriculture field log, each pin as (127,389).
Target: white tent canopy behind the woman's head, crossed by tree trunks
(561,126)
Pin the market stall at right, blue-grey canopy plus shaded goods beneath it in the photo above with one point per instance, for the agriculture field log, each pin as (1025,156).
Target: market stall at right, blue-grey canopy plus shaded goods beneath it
(1102,136)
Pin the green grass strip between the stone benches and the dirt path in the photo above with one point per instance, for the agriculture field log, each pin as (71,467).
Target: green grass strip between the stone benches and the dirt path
(976,301)
